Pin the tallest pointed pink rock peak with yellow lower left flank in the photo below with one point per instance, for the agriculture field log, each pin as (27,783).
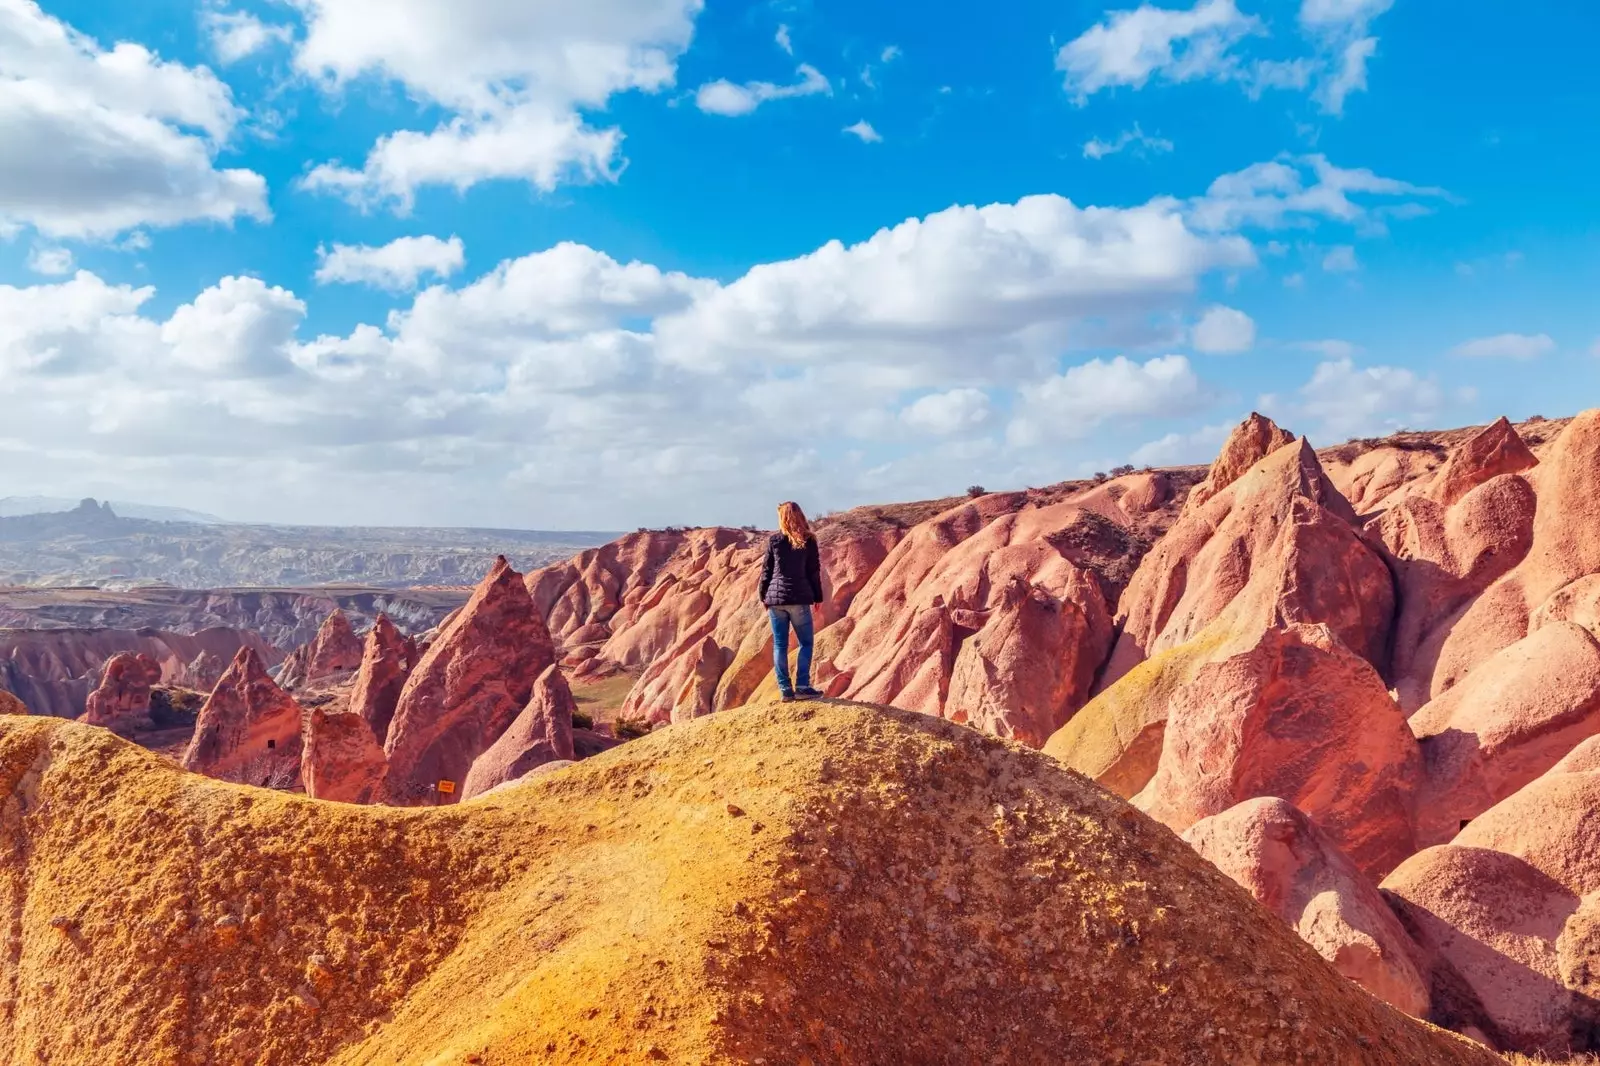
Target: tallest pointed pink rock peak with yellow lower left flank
(1276,547)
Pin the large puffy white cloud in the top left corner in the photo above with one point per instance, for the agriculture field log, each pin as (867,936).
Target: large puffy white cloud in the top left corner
(132,138)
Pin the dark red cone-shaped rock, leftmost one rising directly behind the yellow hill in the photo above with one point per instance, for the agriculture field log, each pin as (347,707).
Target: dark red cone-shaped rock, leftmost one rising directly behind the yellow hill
(249,729)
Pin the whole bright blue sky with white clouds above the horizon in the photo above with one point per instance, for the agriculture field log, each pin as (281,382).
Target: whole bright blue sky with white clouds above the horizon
(618,263)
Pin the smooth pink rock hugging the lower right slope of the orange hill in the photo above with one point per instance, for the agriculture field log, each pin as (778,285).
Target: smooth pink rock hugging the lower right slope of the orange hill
(1294,870)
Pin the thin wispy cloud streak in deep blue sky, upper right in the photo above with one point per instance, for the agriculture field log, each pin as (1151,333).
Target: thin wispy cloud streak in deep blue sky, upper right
(1295,191)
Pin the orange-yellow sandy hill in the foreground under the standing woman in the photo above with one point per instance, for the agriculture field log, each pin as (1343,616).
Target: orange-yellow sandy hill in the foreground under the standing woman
(783,884)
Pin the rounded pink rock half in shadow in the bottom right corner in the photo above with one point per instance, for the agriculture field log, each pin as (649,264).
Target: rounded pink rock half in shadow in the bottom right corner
(1494,931)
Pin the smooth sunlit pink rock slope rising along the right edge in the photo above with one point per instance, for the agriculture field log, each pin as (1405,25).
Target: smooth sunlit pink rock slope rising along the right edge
(1566,550)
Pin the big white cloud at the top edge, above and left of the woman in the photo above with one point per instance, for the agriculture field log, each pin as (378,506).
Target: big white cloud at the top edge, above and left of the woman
(514,81)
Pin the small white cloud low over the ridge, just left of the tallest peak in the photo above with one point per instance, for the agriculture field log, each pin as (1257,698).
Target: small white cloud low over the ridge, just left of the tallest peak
(1073,404)
